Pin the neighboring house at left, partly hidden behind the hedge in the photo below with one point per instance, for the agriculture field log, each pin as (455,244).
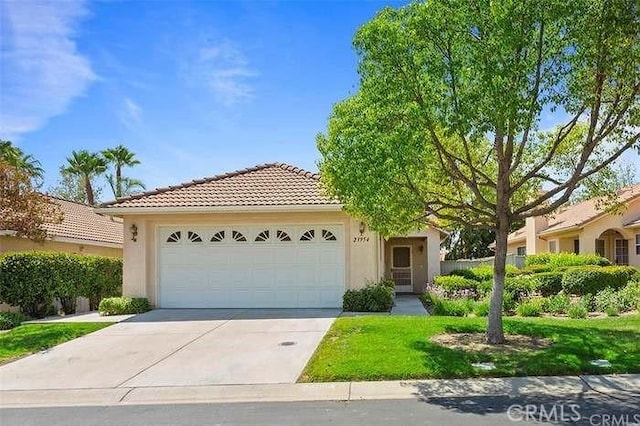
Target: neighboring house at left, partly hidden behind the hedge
(82,231)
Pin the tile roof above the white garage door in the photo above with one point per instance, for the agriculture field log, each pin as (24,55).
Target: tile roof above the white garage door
(274,184)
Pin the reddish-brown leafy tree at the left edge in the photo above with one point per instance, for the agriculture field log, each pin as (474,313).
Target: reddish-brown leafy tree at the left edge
(23,210)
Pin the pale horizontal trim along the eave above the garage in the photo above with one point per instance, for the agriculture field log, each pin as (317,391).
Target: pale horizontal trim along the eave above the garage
(238,209)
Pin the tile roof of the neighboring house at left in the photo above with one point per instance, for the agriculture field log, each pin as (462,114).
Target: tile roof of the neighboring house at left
(81,222)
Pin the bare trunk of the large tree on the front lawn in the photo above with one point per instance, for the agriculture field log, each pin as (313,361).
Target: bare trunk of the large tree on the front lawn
(495,333)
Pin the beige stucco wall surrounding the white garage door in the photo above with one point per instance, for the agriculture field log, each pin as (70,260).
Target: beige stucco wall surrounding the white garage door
(140,257)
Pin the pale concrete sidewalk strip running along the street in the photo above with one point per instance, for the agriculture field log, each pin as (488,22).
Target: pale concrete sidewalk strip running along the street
(628,385)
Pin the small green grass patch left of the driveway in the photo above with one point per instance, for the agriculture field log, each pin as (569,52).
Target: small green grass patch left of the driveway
(30,338)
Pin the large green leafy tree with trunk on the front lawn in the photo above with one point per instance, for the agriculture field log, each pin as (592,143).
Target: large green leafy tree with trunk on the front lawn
(450,123)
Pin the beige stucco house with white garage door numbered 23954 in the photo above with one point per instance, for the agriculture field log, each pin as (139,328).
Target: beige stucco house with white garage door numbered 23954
(264,237)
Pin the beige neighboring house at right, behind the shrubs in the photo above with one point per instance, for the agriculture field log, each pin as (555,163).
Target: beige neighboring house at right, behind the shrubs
(585,228)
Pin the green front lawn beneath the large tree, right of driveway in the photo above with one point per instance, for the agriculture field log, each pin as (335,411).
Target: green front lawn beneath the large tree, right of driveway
(396,348)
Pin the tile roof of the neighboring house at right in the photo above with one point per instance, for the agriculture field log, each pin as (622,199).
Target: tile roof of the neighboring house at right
(583,212)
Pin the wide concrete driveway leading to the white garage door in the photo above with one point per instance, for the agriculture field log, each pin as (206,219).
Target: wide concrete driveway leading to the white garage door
(181,347)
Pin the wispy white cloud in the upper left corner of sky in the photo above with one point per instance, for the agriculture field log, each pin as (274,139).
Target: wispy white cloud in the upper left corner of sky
(41,69)
